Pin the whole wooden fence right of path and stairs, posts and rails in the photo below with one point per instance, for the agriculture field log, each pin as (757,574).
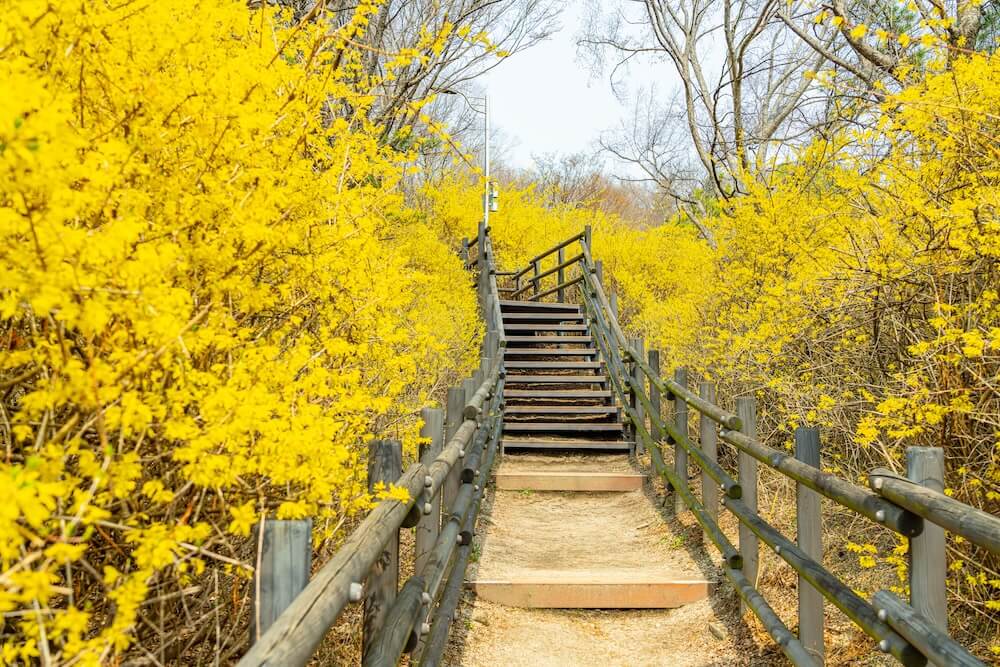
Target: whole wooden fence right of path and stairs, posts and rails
(915,632)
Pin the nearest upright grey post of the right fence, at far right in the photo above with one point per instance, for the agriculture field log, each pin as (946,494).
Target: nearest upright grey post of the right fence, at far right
(928,569)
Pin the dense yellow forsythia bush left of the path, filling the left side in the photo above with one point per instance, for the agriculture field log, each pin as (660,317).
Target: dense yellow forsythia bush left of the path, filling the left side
(207,304)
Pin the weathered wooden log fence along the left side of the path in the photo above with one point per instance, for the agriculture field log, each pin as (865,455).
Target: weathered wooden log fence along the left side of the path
(292,613)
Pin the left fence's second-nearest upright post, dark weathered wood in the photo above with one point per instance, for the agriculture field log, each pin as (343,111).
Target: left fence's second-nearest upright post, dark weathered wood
(385,464)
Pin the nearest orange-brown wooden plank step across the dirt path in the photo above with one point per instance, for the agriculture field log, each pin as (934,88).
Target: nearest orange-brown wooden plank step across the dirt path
(607,594)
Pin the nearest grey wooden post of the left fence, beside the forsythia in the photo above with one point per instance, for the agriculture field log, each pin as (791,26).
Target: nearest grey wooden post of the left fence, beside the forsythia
(283,570)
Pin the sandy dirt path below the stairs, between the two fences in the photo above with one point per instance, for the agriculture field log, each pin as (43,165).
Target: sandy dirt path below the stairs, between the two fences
(615,535)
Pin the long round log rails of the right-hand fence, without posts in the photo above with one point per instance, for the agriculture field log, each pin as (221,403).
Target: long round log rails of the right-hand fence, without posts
(897,503)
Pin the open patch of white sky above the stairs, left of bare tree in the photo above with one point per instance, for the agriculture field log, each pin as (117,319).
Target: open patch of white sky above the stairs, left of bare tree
(546,102)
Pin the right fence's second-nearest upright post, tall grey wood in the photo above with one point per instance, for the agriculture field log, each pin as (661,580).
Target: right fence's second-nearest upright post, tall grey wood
(810,540)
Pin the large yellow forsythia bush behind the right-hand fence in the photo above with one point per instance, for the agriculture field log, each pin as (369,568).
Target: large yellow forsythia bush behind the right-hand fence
(856,288)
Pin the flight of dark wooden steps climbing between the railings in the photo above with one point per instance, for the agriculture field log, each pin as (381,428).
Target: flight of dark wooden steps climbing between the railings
(557,395)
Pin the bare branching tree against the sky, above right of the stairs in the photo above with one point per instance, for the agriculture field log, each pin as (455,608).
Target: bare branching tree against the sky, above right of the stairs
(741,90)
